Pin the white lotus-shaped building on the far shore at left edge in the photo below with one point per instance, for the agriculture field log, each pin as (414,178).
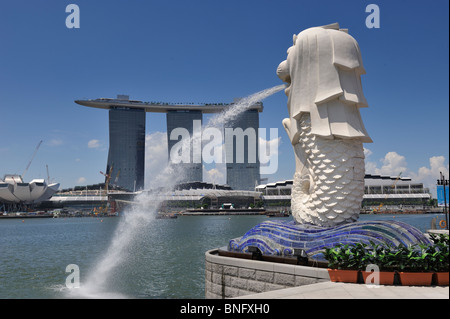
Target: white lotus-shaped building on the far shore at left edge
(14,190)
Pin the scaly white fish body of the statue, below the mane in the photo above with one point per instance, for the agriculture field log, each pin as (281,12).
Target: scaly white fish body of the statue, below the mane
(330,188)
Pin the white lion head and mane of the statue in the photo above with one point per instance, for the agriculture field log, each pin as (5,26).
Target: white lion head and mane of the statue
(323,71)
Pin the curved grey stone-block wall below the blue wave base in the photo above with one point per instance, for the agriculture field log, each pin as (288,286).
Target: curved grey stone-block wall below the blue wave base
(228,277)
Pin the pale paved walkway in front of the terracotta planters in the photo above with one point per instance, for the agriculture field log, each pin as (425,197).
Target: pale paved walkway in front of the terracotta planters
(337,290)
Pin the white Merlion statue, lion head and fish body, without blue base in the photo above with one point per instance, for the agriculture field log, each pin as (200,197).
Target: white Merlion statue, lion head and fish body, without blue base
(323,70)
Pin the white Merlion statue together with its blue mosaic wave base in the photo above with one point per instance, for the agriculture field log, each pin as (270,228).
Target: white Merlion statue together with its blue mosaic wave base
(323,70)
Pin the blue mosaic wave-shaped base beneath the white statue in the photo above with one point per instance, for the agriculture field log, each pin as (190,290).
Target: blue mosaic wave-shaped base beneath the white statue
(280,238)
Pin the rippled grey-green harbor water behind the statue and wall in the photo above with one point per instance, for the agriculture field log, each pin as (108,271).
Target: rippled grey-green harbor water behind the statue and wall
(166,261)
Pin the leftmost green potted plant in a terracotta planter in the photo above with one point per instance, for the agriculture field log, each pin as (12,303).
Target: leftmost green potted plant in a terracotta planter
(344,262)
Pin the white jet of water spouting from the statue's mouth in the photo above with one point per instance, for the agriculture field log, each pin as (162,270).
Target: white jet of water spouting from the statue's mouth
(138,217)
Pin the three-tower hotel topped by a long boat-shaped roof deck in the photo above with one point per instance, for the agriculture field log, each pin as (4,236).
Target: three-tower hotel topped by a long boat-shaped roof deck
(126,156)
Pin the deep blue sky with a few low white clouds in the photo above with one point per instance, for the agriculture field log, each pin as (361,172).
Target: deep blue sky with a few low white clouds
(210,51)
